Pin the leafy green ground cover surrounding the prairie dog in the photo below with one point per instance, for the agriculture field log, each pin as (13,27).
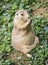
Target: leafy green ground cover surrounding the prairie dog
(7,11)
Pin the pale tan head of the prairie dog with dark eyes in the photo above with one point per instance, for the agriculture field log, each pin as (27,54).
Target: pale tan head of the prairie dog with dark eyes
(21,15)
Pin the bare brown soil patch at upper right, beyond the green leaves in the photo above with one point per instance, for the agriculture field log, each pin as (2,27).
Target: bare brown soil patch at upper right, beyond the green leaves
(41,12)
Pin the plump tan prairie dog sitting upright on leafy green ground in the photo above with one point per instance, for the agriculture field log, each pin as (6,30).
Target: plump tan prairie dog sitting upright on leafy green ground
(23,38)
